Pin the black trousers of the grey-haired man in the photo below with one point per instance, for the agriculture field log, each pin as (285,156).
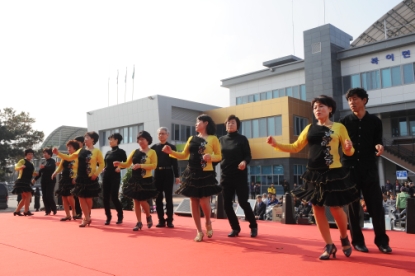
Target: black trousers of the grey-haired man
(164,180)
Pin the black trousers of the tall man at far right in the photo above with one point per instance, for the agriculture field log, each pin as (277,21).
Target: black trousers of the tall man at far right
(367,181)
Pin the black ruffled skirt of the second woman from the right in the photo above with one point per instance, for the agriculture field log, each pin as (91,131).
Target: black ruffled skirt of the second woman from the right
(198,183)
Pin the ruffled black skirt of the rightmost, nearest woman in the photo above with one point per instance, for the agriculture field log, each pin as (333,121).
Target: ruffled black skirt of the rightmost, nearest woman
(331,187)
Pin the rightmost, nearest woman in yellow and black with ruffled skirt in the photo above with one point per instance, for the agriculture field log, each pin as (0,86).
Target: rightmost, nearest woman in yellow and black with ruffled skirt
(326,183)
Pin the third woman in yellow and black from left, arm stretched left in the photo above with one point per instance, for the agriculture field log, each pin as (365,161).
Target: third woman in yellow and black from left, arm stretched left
(90,165)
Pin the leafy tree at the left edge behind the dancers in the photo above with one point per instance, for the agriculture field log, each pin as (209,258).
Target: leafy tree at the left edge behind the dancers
(16,135)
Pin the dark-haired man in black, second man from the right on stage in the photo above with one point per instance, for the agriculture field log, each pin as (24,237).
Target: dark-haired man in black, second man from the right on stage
(236,155)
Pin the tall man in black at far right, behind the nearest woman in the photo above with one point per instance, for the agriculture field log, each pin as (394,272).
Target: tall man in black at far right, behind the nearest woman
(365,131)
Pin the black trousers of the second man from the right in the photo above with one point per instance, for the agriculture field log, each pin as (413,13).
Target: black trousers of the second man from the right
(239,186)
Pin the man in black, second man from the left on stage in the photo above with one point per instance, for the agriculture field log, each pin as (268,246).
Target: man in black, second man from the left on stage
(112,178)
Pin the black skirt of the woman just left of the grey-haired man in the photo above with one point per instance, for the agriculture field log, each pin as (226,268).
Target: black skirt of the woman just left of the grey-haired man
(140,189)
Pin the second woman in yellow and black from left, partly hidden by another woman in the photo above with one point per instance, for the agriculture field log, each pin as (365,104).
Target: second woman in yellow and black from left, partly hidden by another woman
(67,181)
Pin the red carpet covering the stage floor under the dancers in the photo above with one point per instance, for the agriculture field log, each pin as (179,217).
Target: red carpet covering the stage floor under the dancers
(41,245)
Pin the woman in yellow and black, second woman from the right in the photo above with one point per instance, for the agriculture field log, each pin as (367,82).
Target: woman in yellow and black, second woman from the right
(199,179)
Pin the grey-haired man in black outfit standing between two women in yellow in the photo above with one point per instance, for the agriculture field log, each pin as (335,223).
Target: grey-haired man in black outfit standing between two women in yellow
(165,175)
